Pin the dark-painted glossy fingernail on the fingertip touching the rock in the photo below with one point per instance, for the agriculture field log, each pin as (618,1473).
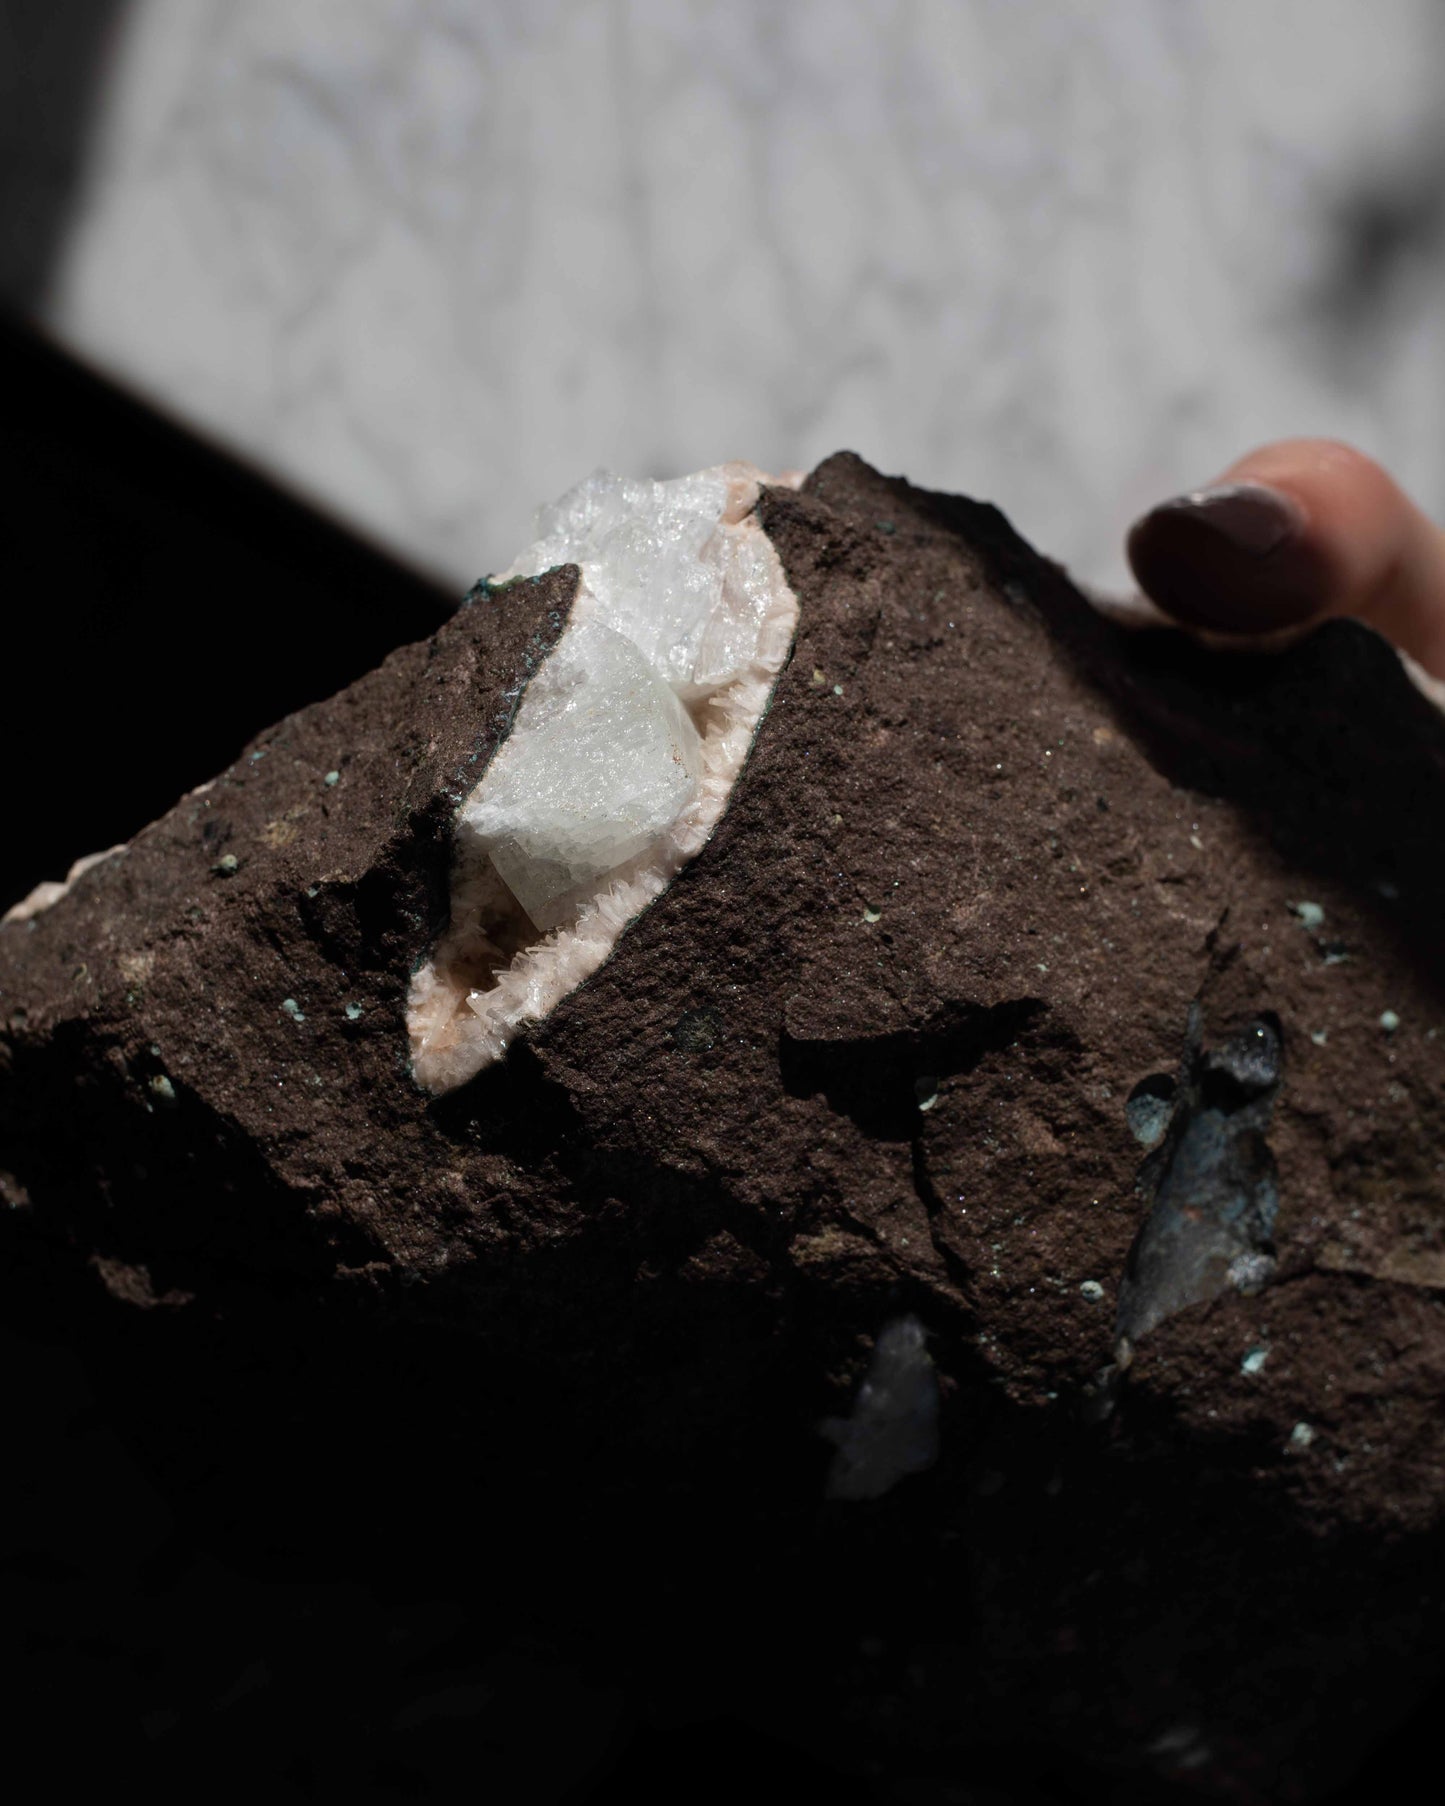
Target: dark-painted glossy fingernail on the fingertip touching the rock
(1233,559)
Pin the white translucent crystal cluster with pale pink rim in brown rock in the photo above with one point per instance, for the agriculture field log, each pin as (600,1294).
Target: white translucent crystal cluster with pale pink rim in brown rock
(622,756)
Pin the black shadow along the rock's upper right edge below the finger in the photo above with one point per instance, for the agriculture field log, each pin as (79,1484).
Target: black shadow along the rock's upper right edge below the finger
(1327,747)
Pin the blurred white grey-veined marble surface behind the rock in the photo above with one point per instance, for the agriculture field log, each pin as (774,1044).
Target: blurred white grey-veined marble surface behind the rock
(433,261)
